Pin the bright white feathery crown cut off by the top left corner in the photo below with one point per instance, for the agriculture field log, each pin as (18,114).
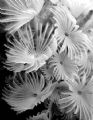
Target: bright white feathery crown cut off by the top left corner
(19,12)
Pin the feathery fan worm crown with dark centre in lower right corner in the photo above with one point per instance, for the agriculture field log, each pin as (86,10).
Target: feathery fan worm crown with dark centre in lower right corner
(79,98)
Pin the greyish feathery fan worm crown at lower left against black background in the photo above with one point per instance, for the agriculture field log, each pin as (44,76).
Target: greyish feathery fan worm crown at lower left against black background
(27,91)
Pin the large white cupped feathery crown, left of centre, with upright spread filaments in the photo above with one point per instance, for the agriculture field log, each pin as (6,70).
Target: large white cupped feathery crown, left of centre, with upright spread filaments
(31,50)
